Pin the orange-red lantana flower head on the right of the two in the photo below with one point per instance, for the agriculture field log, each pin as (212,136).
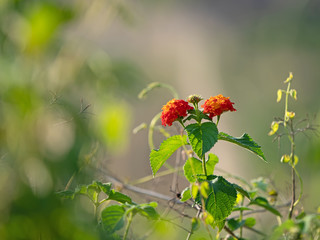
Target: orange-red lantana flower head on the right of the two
(215,106)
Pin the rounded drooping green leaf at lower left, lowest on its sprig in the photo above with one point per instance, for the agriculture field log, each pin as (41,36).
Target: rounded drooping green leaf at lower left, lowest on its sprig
(112,218)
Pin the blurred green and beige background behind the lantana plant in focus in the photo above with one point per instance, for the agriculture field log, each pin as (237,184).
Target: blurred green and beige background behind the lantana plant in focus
(71,71)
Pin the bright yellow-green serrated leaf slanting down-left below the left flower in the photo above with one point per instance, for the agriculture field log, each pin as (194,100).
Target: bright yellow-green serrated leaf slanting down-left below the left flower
(167,148)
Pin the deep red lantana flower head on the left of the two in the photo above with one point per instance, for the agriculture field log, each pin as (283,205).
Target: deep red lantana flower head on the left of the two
(173,110)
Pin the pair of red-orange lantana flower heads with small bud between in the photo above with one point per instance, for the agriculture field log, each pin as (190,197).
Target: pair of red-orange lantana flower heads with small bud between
(178,109)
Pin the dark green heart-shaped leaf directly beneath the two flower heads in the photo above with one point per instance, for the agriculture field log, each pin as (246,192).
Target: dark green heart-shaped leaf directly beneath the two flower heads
(202,137)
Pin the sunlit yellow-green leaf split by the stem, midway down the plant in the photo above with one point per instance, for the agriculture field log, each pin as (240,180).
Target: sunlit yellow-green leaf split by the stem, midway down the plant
(193,168)
